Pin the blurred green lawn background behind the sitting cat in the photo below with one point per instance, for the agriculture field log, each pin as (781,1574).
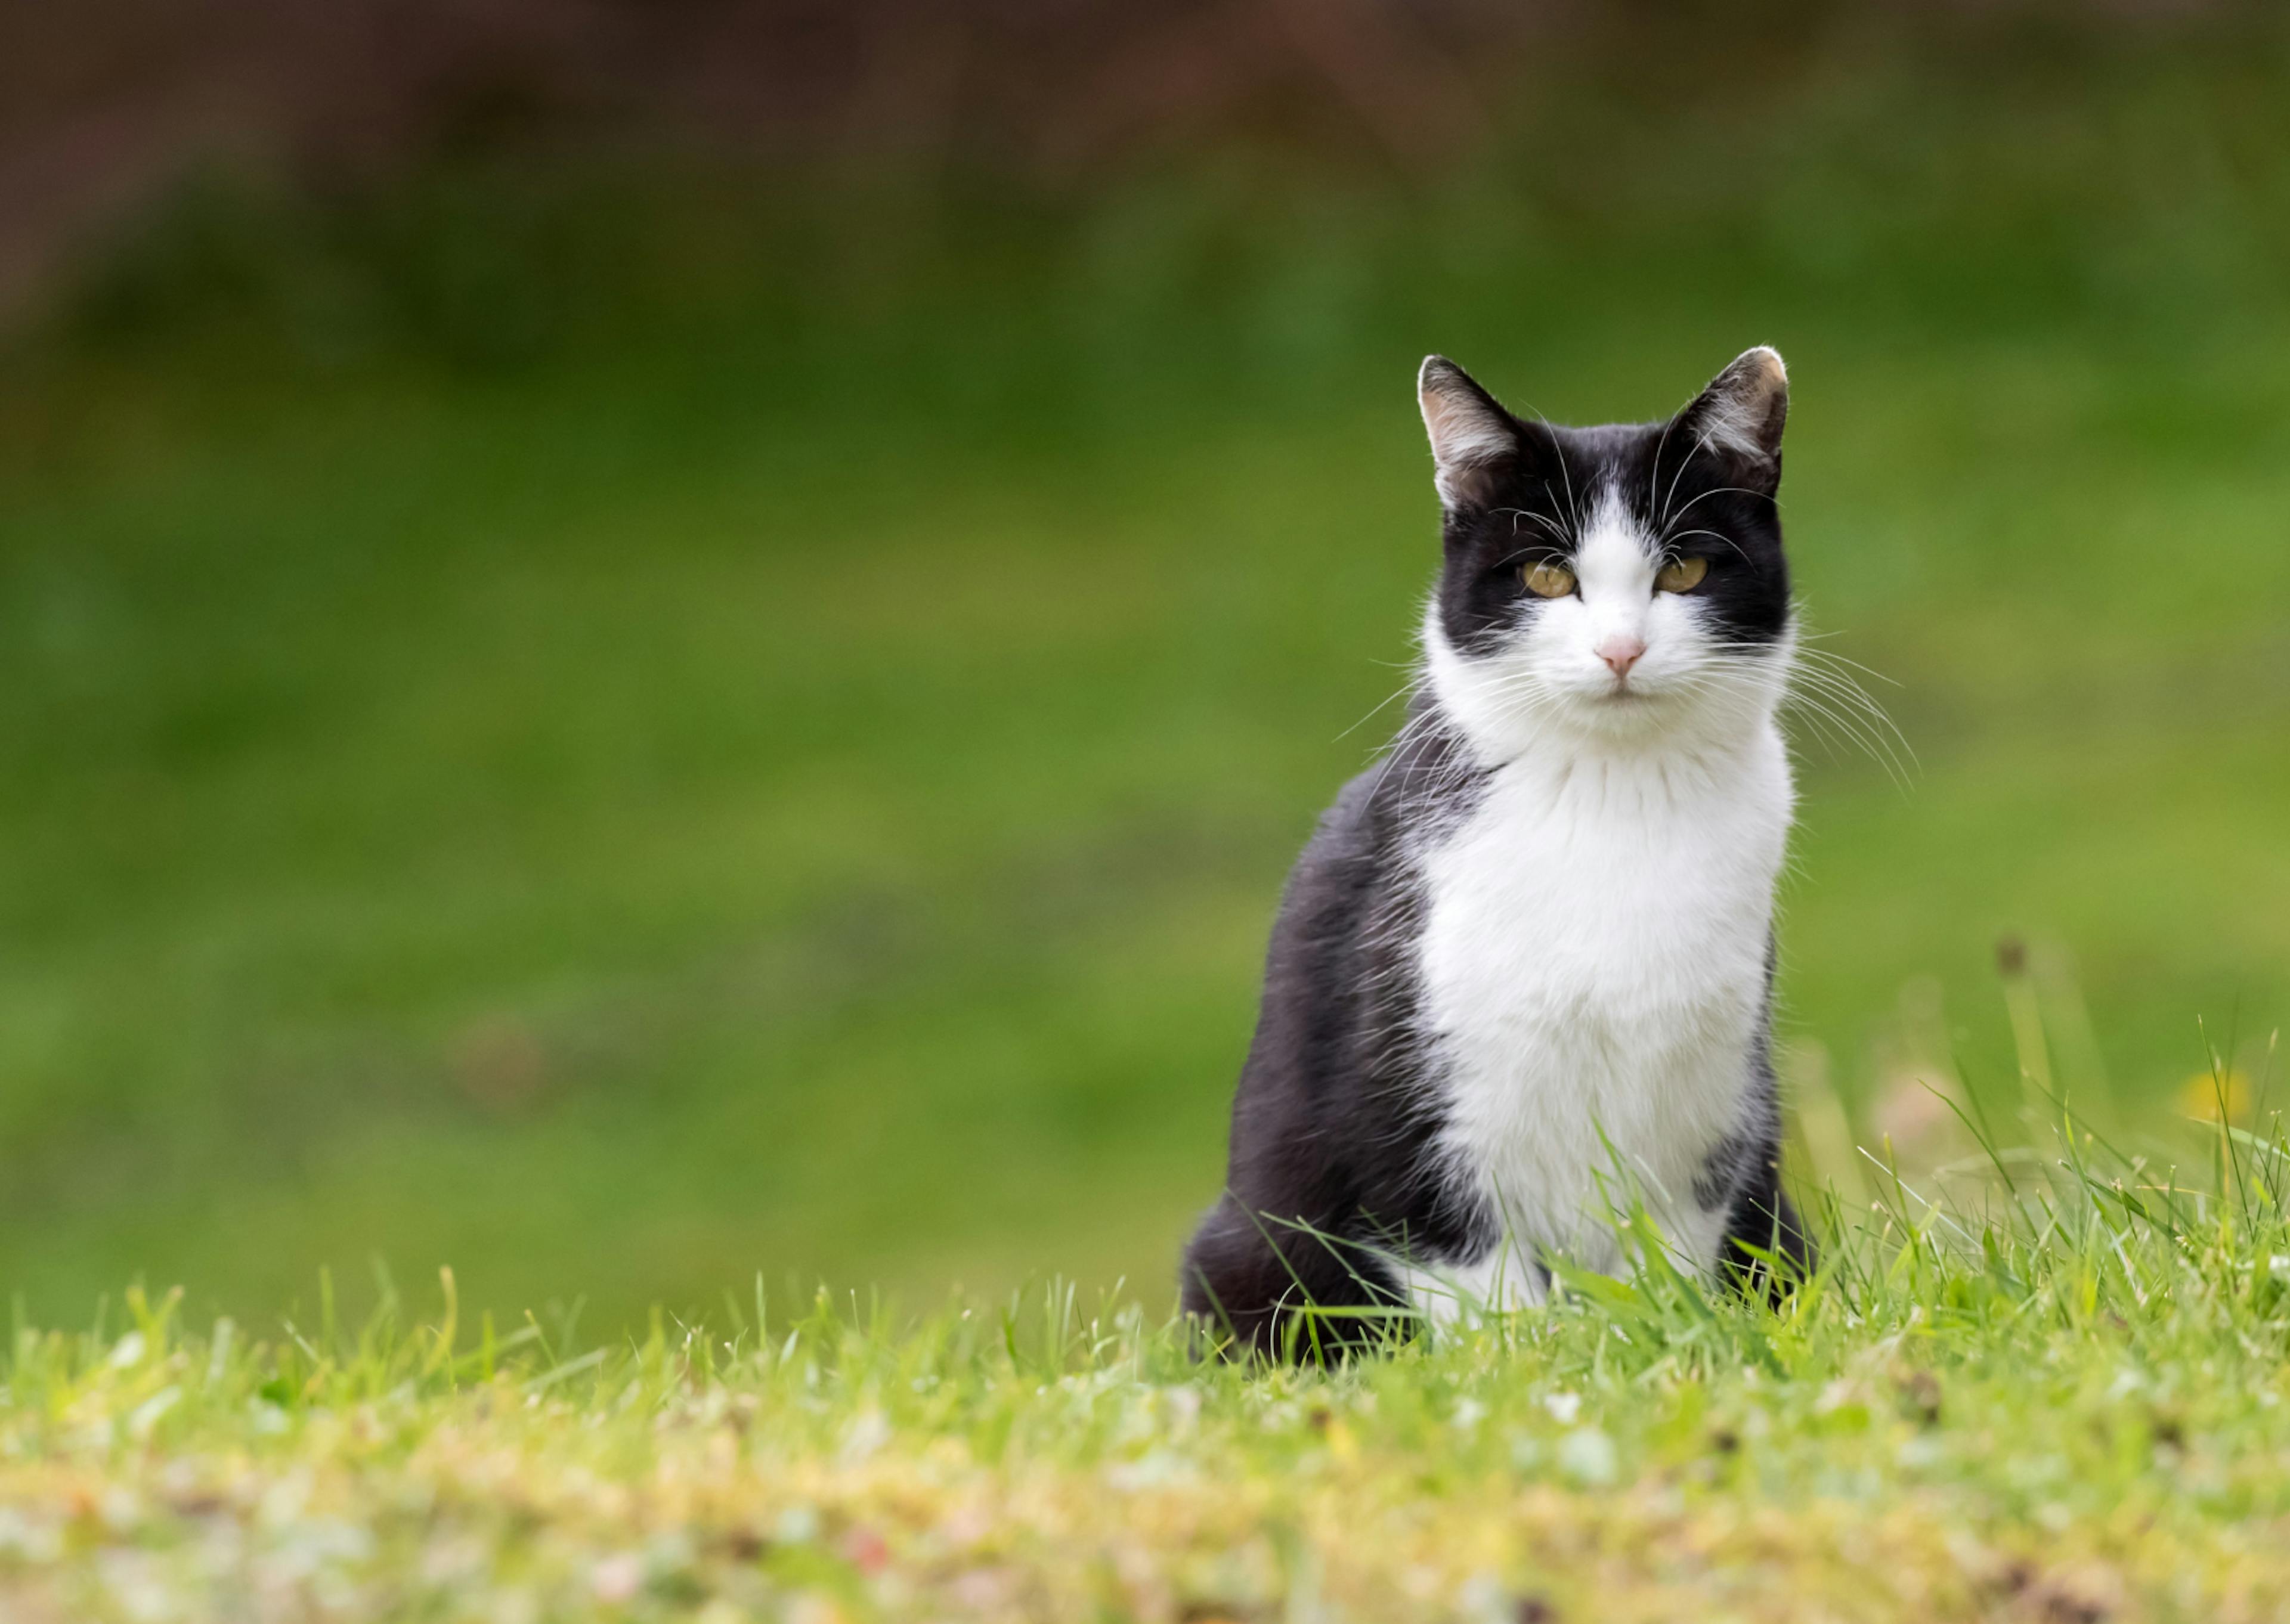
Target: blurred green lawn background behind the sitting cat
(624,711)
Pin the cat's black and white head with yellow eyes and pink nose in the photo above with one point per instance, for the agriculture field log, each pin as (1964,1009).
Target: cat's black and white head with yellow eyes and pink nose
(1618,583)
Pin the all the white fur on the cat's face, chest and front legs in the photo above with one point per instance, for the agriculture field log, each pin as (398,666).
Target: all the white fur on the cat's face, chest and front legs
(1595,938)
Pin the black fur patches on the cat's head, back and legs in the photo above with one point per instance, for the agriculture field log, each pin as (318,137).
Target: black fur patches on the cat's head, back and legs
(1339,1103)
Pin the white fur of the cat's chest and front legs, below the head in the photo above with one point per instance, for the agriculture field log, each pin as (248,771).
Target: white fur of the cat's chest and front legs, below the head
(1595,975)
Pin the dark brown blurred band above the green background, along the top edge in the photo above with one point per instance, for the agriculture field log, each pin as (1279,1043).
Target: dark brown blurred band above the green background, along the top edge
(109,104)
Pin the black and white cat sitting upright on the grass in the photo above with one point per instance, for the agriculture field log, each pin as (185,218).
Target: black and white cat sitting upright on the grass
(1524,970)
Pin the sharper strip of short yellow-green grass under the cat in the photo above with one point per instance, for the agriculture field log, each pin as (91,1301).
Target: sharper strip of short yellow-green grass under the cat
(2051,1396)
